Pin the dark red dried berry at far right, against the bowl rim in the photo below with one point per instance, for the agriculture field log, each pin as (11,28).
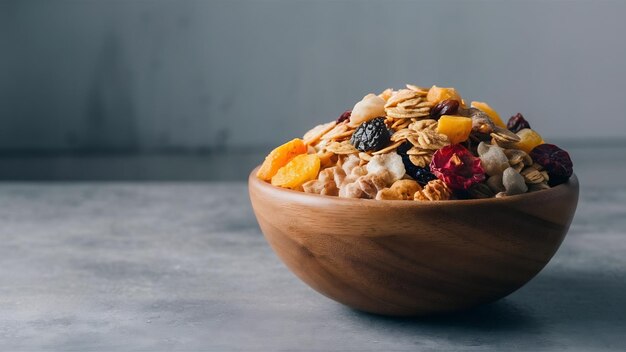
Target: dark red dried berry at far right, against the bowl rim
(555,160)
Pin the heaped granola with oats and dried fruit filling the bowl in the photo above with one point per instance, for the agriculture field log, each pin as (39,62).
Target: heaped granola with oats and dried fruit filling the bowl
(418,144)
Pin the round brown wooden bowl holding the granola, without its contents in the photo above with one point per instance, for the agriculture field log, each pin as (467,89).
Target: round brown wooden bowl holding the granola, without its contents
(414,258)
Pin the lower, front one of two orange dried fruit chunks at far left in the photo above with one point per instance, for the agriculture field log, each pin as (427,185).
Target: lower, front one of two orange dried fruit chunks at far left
(299,170)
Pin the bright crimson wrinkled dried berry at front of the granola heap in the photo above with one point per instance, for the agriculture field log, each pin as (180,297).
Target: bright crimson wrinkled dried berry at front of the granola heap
(457,167)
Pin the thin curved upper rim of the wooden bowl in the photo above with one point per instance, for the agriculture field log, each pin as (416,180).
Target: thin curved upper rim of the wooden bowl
(571,185)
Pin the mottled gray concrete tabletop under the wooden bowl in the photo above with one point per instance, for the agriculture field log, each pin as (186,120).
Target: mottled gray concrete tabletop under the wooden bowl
(183,266)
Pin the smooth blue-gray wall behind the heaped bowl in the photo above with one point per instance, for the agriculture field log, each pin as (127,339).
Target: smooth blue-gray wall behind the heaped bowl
(159,75)
